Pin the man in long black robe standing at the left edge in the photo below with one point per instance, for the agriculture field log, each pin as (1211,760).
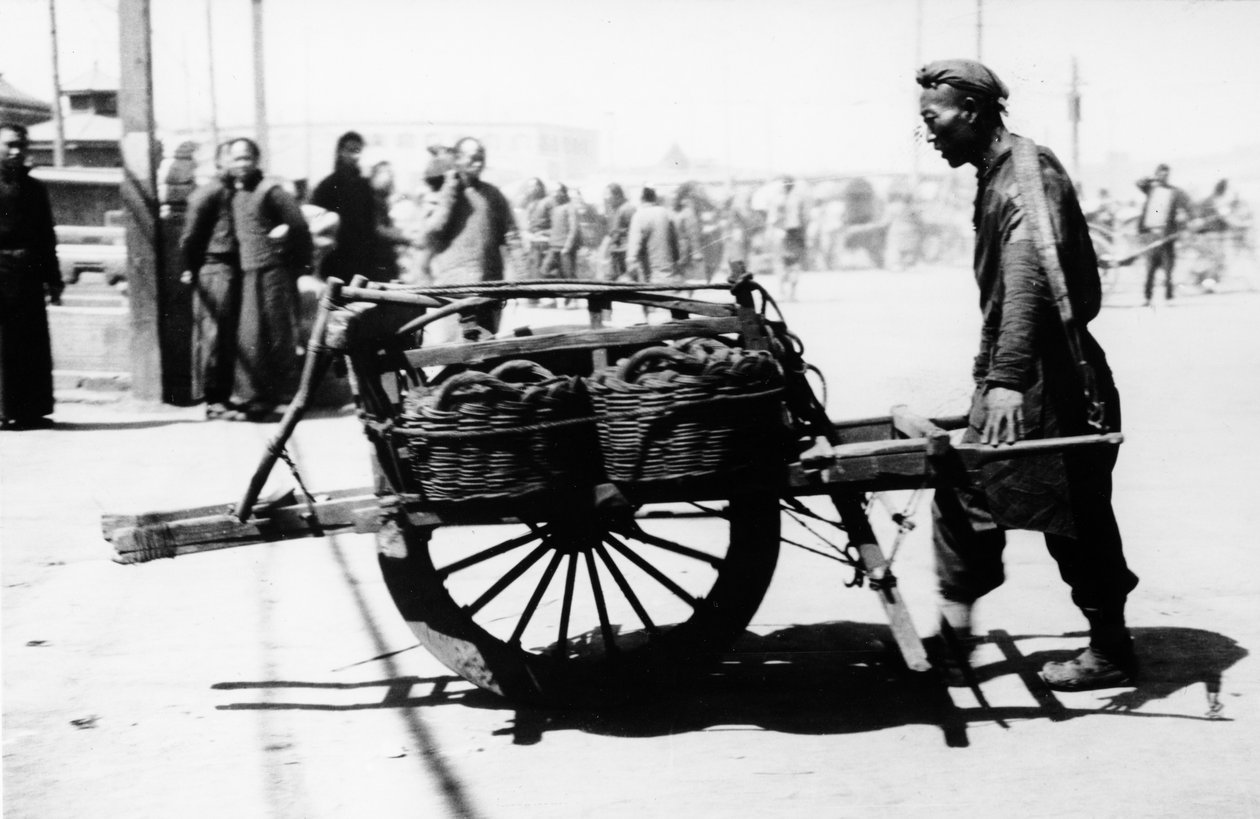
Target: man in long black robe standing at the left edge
(28,273)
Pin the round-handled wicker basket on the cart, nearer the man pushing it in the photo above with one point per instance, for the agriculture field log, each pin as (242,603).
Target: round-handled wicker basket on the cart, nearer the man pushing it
(700,410)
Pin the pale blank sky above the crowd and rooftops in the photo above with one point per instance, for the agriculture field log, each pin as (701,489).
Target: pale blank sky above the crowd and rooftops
(794,85)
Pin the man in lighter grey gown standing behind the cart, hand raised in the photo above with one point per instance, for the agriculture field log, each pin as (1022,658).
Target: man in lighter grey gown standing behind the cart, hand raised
(469,227)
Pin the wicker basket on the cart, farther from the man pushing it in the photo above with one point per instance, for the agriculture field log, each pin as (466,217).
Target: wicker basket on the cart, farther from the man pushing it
(488,437)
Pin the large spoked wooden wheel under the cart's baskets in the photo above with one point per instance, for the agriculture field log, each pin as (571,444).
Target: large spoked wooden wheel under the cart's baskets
(588,608)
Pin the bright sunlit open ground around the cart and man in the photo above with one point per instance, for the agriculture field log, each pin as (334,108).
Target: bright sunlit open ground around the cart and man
(278,681)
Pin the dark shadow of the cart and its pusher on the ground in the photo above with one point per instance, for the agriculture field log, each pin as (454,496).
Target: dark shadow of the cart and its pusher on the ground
(822,680)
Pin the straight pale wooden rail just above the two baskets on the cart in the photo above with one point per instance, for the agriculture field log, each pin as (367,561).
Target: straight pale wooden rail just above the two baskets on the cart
(585,341)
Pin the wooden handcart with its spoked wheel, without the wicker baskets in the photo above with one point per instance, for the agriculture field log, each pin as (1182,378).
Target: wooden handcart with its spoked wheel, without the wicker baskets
(604,595)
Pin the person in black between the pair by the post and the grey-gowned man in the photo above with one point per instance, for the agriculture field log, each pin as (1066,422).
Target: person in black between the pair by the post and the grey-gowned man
(347,193)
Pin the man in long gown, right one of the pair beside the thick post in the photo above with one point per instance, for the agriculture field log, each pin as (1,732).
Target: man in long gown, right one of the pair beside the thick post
(275,246)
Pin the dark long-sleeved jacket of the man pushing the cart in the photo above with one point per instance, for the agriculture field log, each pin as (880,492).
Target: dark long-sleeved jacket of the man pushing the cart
(1024,346)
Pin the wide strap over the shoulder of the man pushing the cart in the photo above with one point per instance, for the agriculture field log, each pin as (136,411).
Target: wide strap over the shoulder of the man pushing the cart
(1028,167)
